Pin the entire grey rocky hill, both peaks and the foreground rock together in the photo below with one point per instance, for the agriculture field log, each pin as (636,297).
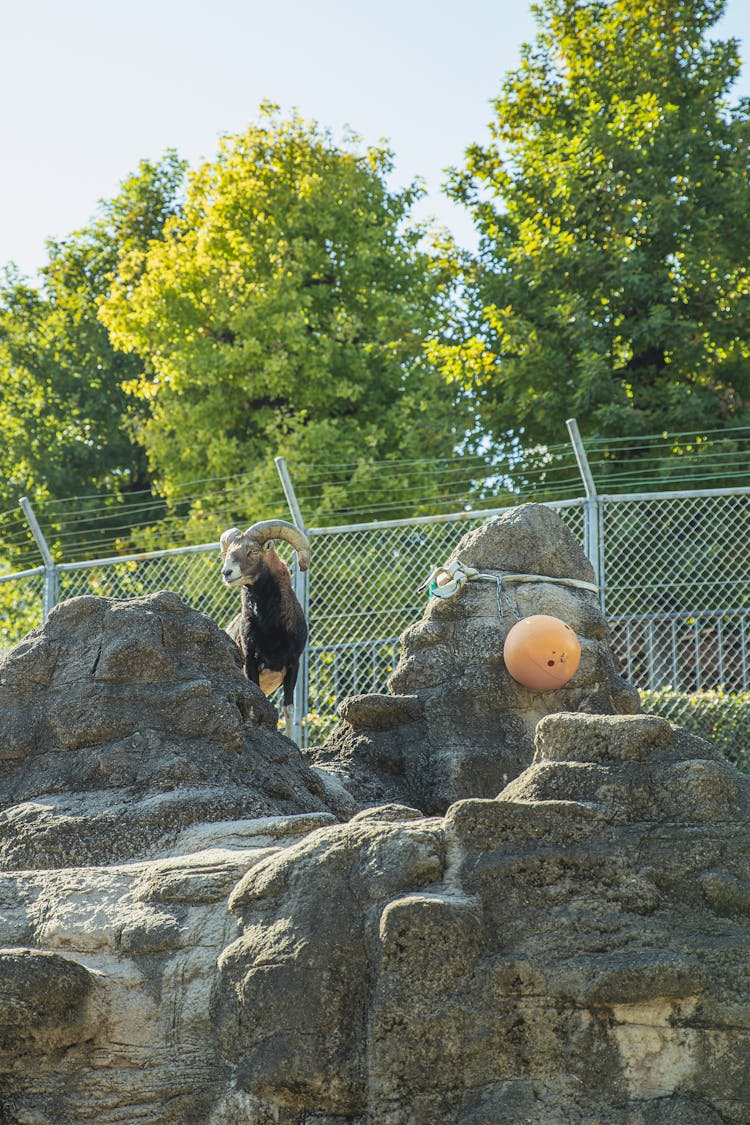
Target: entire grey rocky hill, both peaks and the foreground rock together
(200,926)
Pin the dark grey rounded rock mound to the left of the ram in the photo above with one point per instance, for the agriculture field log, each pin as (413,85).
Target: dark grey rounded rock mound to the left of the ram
(123,723)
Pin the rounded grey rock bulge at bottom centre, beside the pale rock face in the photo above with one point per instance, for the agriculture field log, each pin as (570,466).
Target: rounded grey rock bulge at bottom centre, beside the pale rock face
(305,950)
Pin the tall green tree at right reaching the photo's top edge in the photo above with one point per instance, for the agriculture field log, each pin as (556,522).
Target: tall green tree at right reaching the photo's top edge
(613,210)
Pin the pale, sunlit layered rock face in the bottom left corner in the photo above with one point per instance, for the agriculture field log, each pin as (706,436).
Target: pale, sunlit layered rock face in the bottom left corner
(107,978)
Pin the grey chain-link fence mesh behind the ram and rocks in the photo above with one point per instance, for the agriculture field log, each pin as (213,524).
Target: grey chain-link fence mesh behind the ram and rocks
(674,571)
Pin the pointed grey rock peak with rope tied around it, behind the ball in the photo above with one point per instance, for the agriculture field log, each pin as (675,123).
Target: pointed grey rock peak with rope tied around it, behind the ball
(455,724)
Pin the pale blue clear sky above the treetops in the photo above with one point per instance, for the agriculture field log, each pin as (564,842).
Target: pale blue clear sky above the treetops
(89,88)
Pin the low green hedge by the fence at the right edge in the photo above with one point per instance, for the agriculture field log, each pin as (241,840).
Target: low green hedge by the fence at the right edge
(722,718)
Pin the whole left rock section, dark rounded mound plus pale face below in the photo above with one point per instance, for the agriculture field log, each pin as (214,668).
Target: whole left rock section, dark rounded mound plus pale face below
(141,778)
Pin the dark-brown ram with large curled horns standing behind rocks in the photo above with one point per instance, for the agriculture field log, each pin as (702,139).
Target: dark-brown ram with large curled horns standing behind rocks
(272,629)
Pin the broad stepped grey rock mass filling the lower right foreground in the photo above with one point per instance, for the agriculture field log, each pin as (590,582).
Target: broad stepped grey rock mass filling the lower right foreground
(574,951)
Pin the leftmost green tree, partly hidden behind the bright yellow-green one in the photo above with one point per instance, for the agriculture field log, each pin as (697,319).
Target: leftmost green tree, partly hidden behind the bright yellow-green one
(67,427)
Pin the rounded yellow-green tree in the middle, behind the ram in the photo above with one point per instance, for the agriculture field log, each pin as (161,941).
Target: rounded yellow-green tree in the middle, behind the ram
(286,312)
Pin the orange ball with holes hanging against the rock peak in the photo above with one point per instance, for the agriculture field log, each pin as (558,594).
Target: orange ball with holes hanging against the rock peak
(541,653)
